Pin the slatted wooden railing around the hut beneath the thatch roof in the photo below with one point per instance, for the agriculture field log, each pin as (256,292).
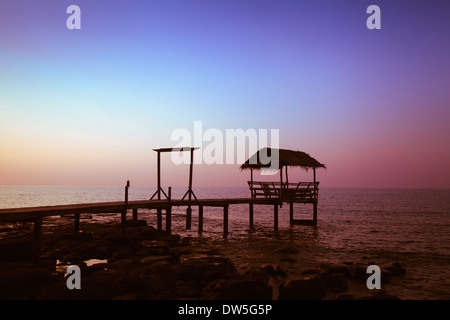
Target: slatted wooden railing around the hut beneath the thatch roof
(285,191)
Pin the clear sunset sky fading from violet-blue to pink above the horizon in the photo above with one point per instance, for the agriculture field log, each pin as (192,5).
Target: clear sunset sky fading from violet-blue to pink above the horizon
(86,107)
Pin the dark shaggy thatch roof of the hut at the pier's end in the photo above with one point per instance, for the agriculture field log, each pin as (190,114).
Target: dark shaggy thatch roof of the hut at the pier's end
(286,158)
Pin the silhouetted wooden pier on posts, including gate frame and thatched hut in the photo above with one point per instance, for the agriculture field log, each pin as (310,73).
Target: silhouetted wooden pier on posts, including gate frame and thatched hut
(262,193)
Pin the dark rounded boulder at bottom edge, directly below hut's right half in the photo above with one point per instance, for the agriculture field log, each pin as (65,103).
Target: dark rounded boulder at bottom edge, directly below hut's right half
(309,287)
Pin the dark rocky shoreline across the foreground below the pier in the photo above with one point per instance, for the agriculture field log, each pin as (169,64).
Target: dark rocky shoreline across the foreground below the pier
(149,264)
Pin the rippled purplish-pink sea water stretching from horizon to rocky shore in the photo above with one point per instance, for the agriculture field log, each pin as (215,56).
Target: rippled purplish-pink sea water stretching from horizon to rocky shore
(411,226)
